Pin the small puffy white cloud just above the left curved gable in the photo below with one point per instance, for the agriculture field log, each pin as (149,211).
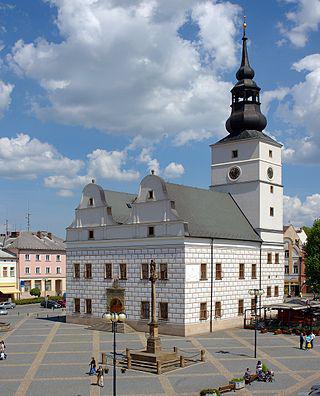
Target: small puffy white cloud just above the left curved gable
(108,165)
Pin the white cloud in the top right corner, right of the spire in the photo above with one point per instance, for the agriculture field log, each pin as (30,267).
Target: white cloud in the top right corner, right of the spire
(304,18)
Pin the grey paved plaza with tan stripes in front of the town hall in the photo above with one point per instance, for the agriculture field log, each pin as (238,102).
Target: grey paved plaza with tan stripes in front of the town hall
(49,357)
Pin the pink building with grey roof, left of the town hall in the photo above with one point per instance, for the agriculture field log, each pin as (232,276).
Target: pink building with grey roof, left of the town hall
(41,262)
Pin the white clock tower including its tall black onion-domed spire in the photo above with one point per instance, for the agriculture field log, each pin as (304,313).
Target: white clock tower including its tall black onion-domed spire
(247,163)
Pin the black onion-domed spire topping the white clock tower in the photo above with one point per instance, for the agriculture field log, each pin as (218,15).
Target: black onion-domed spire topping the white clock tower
(245,107)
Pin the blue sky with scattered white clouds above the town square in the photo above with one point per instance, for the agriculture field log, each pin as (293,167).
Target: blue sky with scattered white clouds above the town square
(111,89)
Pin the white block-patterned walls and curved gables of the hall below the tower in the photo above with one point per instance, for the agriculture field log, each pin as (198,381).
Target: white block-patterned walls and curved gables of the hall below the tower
(96,237)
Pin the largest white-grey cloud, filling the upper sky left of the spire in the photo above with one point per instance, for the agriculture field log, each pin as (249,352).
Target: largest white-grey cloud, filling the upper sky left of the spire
(126,69)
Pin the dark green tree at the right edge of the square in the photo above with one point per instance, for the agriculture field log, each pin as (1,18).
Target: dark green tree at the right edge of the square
(312,261)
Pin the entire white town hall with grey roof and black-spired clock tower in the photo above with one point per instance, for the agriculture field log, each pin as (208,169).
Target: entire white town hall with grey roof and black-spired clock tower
(210,245)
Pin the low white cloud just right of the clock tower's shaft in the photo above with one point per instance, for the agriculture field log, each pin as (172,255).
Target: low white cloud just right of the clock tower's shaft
(301,213)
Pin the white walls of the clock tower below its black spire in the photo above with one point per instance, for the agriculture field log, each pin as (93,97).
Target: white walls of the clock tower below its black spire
(259,196)
